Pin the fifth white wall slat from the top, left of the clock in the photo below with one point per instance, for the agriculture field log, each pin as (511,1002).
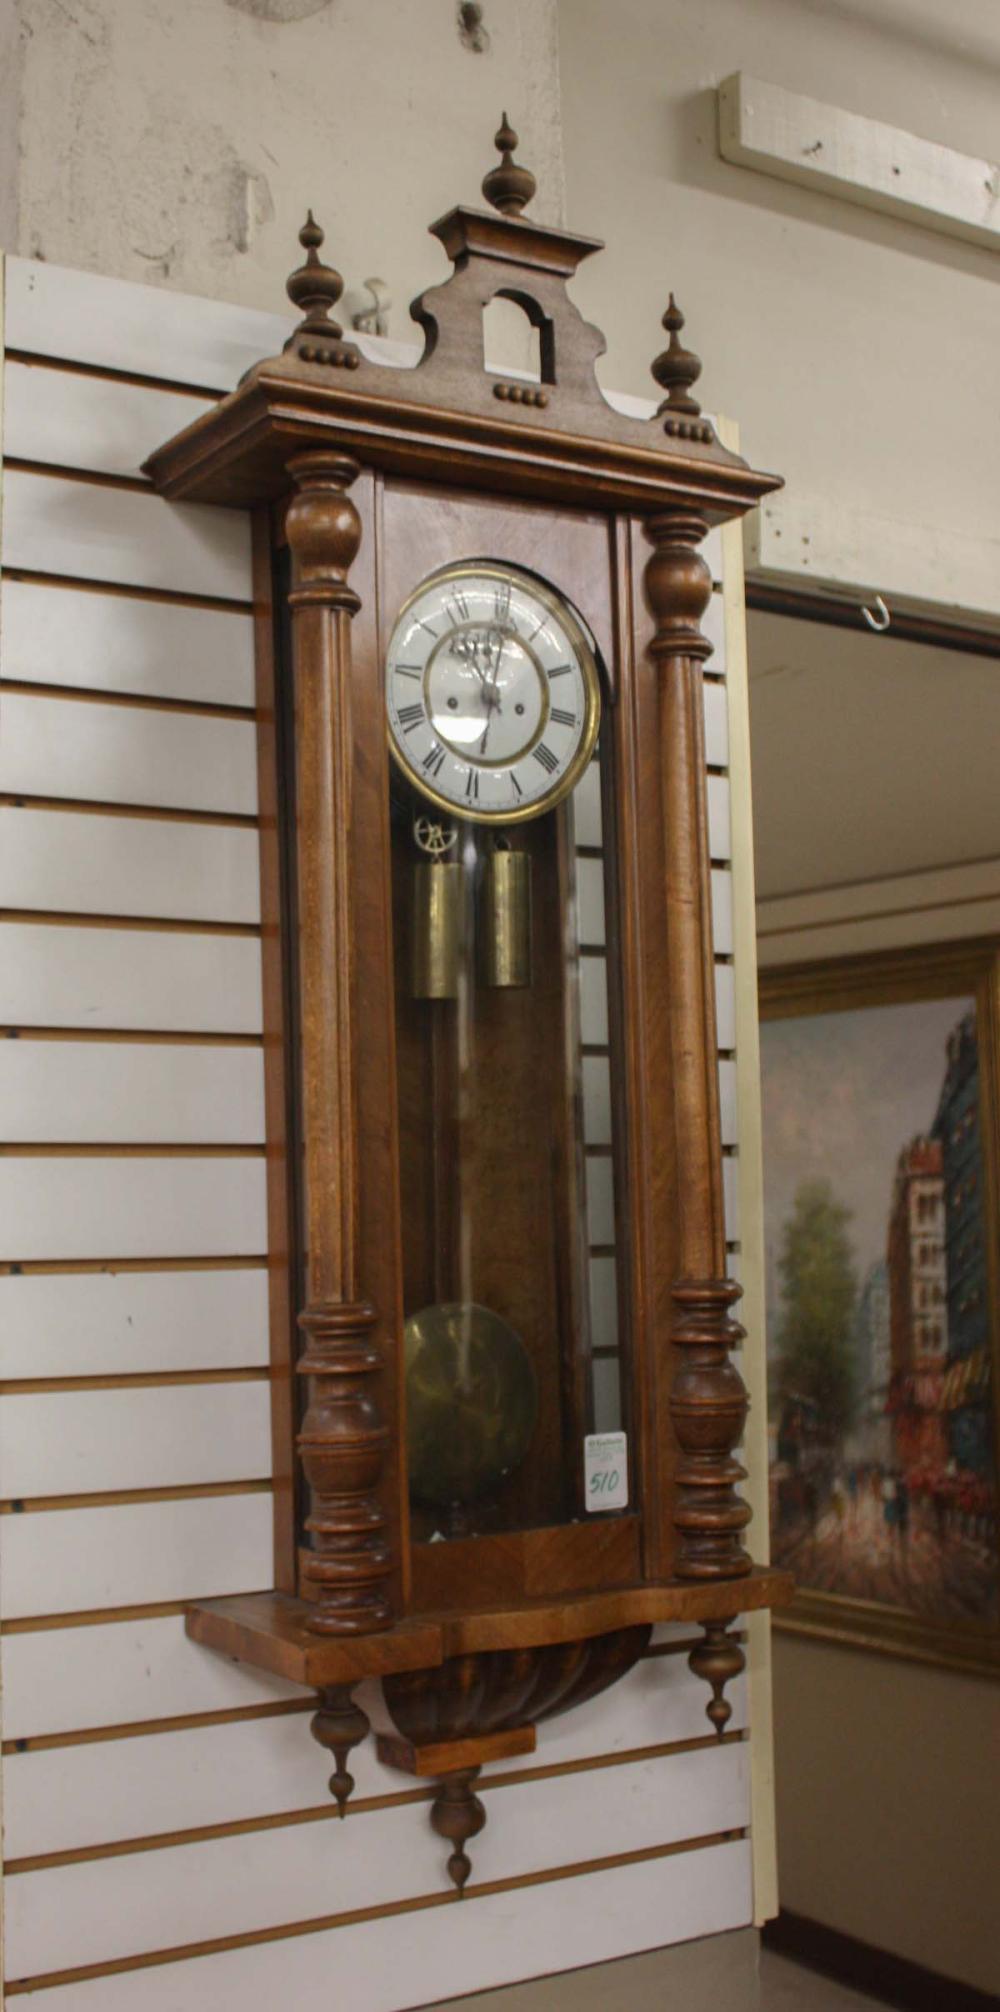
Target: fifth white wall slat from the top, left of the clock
(65,747)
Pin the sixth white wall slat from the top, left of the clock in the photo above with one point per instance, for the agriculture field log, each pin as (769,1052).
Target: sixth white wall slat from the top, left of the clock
(128,866)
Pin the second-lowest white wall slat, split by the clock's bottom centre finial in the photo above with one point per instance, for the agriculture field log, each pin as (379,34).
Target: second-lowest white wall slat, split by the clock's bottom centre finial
(112,1908)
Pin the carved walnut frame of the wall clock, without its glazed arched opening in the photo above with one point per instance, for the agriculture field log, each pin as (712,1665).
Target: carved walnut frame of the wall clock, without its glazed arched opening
(611,508)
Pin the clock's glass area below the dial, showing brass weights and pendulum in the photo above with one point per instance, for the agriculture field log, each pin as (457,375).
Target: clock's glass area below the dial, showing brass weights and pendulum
(510,1140)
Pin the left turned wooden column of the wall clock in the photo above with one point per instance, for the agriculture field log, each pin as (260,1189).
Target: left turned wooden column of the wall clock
(343,1438)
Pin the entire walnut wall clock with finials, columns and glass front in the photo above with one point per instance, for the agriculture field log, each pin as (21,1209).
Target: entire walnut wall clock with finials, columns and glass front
(482,727)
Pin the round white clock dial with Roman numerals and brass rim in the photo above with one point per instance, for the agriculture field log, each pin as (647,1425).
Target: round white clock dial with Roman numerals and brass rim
(492,693)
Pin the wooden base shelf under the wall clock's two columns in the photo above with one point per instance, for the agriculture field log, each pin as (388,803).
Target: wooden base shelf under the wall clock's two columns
(271,1631)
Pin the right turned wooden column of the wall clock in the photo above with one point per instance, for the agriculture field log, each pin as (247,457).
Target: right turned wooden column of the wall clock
(709,1399)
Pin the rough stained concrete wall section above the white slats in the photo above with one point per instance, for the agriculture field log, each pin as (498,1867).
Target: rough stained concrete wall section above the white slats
(180,142)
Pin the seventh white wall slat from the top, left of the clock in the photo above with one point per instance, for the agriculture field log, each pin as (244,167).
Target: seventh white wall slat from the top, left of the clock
(130,979)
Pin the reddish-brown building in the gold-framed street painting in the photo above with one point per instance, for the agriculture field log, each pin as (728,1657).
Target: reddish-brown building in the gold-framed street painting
(919,1311)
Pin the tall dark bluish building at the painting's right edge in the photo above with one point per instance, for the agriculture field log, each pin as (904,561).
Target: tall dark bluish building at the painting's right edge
(967,1377)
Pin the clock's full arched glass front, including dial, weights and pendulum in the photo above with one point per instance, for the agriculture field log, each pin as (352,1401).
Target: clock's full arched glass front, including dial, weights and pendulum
(512,1174)
